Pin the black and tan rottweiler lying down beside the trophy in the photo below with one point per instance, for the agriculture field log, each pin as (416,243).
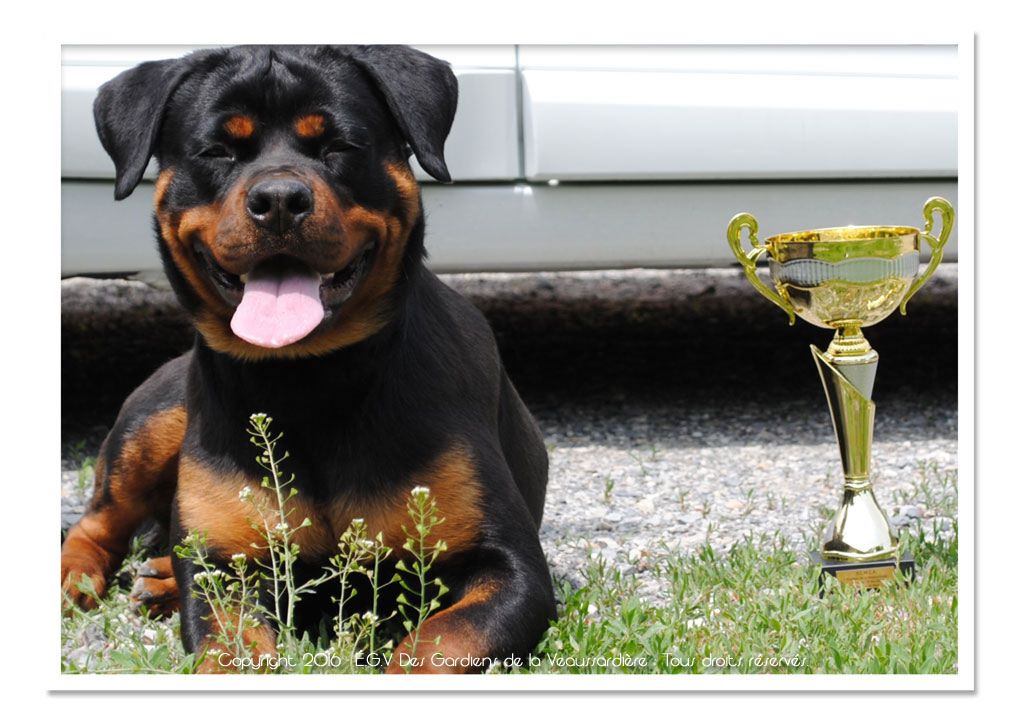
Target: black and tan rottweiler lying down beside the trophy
(292,231)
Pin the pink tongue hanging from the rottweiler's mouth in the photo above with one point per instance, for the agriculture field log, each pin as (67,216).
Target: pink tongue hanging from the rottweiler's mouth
(279,307)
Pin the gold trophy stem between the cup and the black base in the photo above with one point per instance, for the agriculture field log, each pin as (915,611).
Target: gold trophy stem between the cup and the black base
(861,530)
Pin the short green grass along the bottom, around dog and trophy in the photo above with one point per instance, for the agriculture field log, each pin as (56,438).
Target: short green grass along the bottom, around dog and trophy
(753,610)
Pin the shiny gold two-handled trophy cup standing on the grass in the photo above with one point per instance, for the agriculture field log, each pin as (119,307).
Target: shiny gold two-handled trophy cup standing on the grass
(846,279)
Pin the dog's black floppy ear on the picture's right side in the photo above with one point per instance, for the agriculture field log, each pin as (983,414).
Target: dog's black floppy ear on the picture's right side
(421,94)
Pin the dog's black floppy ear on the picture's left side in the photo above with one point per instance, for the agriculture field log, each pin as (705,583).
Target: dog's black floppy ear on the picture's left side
(129,113)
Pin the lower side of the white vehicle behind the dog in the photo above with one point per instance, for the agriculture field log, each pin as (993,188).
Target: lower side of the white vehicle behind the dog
(591,157)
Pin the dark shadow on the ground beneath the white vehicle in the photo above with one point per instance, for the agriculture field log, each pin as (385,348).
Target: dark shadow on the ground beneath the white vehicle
(588,343)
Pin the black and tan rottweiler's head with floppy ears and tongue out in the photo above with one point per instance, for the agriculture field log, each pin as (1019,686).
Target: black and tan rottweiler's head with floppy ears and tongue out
(286,208)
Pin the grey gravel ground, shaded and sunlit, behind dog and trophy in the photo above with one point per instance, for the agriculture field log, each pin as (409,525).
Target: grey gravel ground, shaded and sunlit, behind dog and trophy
(678,407)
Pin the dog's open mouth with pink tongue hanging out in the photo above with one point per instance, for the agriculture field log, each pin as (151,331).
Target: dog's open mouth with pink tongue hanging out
(282,301)
